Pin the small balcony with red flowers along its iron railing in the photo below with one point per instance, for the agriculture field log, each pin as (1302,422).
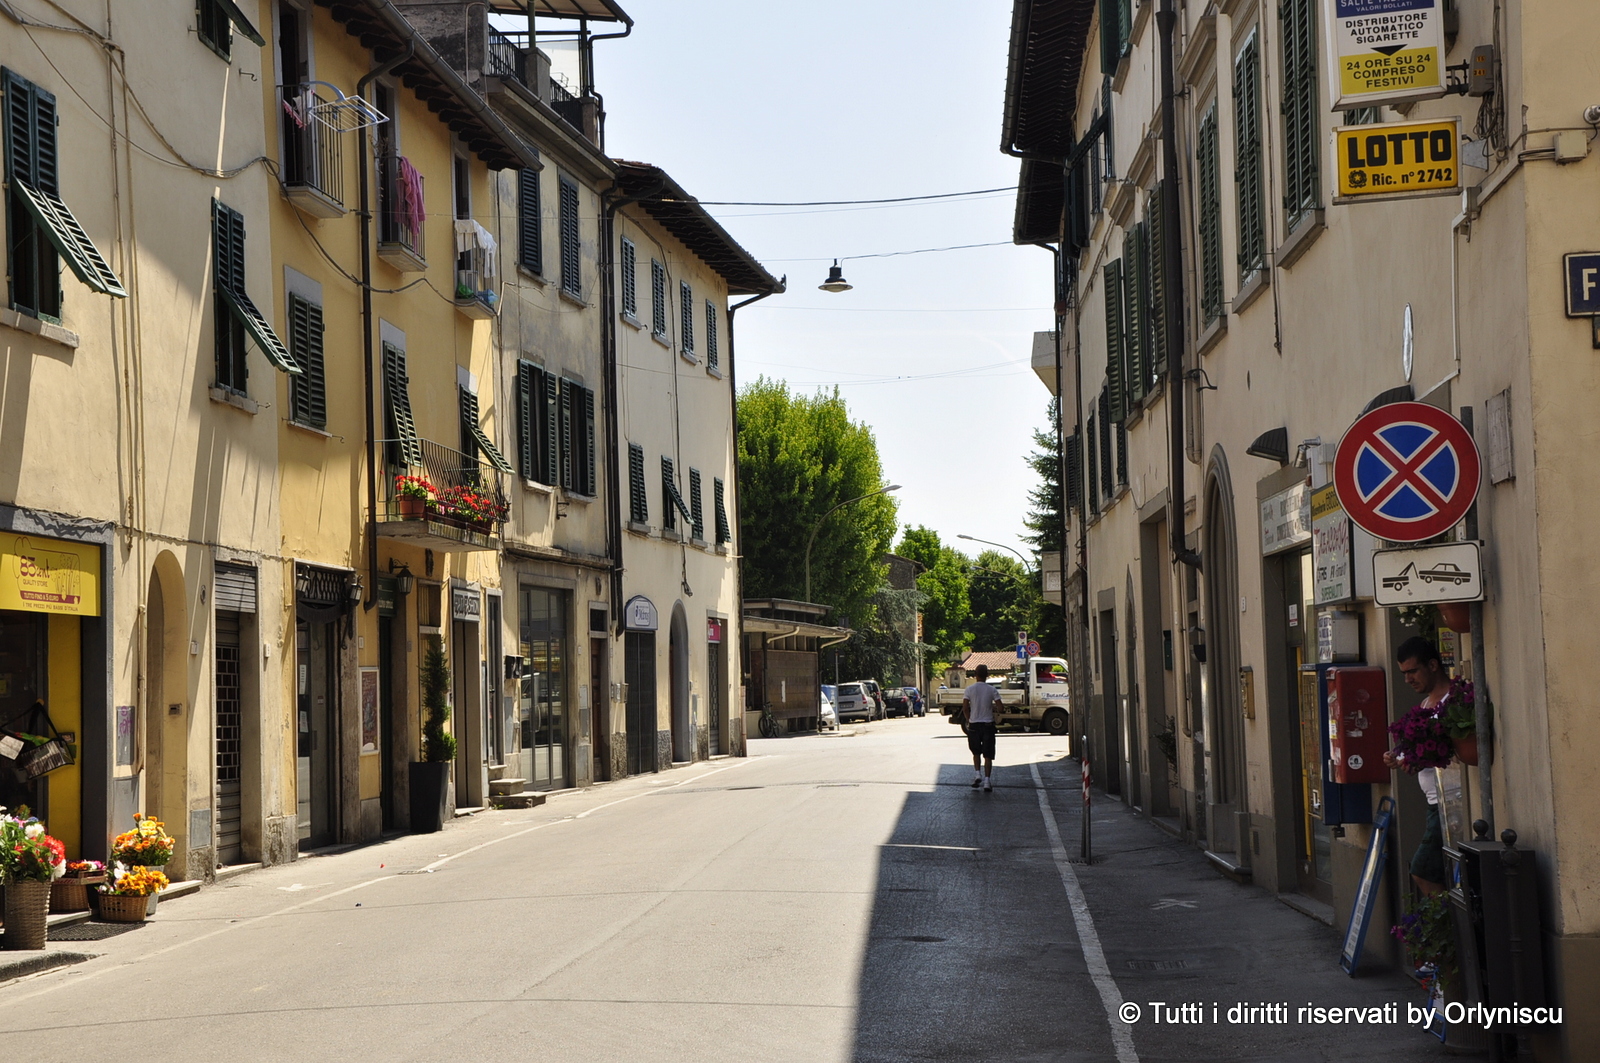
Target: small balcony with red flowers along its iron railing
(438,497)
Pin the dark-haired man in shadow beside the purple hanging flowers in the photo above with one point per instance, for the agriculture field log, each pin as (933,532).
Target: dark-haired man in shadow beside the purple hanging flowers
(1420,744)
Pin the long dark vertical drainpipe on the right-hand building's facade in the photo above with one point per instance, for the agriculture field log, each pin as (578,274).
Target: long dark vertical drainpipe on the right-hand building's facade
(1174,275)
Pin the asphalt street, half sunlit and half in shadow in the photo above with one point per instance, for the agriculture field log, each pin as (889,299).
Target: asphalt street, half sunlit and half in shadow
(828,899)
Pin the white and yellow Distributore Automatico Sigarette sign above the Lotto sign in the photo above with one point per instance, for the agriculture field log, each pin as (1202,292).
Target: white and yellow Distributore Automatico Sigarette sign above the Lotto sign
(1385,52)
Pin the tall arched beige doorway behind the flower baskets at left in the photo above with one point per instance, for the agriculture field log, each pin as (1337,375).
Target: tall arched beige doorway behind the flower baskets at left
(167,708)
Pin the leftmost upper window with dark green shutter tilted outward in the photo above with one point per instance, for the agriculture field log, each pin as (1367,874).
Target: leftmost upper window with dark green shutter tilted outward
(41,230)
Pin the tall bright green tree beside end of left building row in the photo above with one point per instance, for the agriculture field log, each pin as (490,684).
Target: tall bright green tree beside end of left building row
(799,457)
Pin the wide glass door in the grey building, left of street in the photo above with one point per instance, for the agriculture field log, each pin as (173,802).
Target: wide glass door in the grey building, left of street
(545,681)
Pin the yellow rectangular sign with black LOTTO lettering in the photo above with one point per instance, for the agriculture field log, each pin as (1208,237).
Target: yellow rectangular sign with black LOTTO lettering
(1399,159)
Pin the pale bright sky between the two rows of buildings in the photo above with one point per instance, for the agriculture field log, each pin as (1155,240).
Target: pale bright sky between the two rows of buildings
(778,102)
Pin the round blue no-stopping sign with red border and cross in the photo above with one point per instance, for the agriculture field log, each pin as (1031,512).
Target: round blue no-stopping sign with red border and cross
(1407,471)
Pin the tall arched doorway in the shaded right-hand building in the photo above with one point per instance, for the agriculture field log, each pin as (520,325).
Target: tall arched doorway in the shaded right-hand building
(1223,726)
